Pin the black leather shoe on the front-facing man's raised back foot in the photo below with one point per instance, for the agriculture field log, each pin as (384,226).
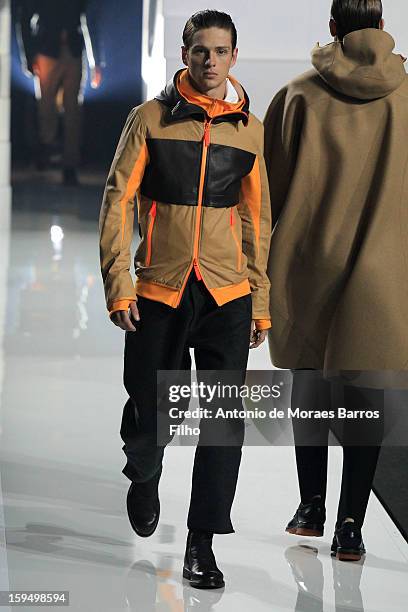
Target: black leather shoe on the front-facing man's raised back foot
(143,506)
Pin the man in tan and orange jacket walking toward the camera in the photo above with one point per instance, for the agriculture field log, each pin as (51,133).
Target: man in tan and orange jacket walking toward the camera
(194,157)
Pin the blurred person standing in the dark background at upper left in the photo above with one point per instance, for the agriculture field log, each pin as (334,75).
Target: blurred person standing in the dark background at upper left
(52,38)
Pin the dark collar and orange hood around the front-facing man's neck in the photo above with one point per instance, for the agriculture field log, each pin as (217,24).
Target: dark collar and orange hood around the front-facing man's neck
(184,101)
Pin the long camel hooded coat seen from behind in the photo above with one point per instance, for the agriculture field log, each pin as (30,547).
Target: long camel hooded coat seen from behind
(337,157)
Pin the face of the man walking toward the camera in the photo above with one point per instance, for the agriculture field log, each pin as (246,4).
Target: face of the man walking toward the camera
(209,58)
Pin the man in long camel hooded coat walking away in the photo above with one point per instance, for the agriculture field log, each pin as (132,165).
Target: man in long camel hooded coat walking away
(337,159)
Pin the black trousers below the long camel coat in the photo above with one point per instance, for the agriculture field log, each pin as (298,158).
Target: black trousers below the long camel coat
(361,441)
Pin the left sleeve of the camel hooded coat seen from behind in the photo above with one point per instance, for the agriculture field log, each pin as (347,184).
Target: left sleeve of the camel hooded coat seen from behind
(283,127)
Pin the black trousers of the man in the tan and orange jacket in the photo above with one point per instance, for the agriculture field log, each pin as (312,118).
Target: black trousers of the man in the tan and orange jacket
(220,339)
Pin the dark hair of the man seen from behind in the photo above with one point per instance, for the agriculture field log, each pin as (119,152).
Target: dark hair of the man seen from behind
(352,15)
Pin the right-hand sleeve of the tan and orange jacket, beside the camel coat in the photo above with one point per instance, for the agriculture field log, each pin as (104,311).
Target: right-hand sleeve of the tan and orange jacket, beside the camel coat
(255,212)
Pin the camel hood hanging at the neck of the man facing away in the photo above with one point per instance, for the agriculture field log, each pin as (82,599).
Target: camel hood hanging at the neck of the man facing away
(363,66)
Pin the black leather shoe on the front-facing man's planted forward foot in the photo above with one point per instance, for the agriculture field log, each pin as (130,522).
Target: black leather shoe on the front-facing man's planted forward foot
(200,567)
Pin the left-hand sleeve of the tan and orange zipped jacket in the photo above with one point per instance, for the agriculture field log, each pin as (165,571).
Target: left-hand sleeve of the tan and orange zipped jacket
(117,213)
